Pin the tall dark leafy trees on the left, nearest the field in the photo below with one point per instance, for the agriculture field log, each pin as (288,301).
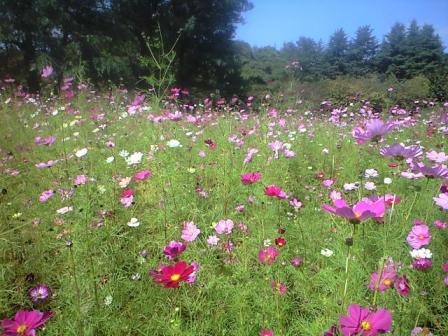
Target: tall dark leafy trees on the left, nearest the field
(133,42)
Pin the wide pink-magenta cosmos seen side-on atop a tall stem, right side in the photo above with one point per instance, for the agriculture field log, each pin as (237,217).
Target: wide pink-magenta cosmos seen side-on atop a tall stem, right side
(361,211)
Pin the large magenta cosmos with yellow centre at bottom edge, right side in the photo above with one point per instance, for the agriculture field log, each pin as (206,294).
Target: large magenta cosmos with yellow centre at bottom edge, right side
(361,321)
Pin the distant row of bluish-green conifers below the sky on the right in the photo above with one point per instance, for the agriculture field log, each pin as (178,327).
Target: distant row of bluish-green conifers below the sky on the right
(404,53)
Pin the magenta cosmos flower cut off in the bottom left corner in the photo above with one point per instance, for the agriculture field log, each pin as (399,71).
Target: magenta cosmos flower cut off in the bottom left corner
(25,323)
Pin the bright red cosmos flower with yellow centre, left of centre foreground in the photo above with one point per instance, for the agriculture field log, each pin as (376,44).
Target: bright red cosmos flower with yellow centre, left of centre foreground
(170,276)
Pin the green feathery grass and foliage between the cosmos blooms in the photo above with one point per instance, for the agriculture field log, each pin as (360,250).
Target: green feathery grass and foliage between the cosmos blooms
(99,279)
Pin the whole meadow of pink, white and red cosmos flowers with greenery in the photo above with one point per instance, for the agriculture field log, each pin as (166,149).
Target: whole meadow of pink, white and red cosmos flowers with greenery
(254,216)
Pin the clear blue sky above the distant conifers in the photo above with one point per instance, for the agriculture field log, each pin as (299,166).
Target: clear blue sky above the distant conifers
(273,22)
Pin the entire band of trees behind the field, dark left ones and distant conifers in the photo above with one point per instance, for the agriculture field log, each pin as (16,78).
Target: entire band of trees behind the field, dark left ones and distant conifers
(146,43)
